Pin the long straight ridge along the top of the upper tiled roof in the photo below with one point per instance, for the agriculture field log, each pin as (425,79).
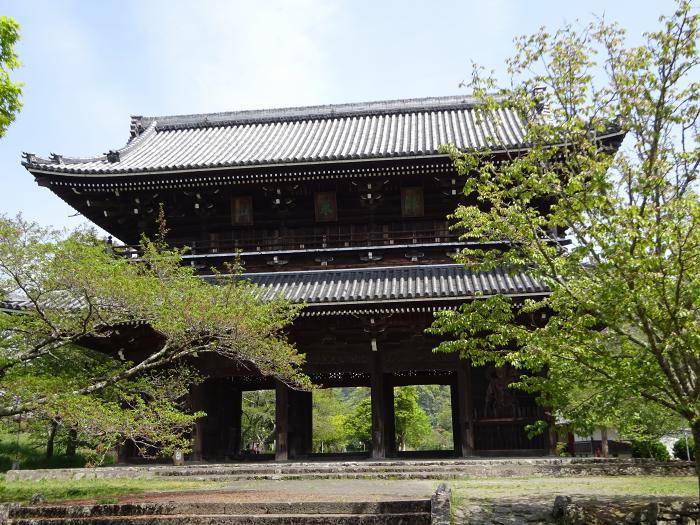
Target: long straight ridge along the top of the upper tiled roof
(295,113)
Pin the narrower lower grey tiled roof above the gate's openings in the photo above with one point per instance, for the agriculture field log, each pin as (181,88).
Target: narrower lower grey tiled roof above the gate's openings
(393,284)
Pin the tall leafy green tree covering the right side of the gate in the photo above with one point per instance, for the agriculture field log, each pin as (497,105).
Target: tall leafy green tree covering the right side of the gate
(616,237)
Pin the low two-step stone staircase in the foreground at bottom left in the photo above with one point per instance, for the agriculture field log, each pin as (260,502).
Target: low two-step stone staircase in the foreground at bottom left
(414,512)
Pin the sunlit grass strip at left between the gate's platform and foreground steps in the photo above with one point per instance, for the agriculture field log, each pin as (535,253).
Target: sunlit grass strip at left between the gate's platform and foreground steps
(102,490)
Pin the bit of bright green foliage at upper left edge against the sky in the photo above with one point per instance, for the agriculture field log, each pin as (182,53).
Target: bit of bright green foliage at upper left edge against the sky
(10,92)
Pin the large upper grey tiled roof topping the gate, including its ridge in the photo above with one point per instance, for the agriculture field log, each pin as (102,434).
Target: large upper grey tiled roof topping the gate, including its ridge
(344,132)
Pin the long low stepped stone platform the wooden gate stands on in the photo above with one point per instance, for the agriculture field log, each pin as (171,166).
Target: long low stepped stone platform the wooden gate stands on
(385,469)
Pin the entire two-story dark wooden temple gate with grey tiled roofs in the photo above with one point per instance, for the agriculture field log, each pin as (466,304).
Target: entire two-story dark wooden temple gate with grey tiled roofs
(342,208)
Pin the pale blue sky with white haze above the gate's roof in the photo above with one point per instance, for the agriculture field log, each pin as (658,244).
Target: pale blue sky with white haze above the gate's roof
(89,65)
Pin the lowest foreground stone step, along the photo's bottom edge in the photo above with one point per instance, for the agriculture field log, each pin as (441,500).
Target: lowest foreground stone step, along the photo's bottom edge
(422,518)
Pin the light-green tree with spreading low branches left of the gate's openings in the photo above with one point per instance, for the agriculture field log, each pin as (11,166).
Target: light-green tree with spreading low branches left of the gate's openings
(76,296)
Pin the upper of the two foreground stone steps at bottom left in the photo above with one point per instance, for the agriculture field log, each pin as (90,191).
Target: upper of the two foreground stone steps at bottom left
(215,508)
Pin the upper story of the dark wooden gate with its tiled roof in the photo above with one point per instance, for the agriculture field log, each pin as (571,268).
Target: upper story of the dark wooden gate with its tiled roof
(337,186)
